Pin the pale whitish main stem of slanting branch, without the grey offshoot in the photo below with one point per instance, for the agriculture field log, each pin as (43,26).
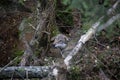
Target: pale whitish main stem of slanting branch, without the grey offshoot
(82,41)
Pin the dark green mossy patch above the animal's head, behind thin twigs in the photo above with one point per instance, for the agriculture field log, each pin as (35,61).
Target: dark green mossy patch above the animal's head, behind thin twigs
(63,14)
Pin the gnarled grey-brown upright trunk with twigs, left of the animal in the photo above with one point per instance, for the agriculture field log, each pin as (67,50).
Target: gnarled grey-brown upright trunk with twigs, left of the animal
(29,53)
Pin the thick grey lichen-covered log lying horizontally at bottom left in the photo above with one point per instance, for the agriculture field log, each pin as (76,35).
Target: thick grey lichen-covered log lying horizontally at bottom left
(20,72)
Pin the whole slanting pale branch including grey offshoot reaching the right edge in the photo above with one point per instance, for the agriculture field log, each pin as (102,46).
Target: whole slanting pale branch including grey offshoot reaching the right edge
(84,38)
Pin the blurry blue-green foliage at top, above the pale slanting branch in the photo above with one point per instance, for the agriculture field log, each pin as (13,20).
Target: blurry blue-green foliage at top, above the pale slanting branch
(90,10)
